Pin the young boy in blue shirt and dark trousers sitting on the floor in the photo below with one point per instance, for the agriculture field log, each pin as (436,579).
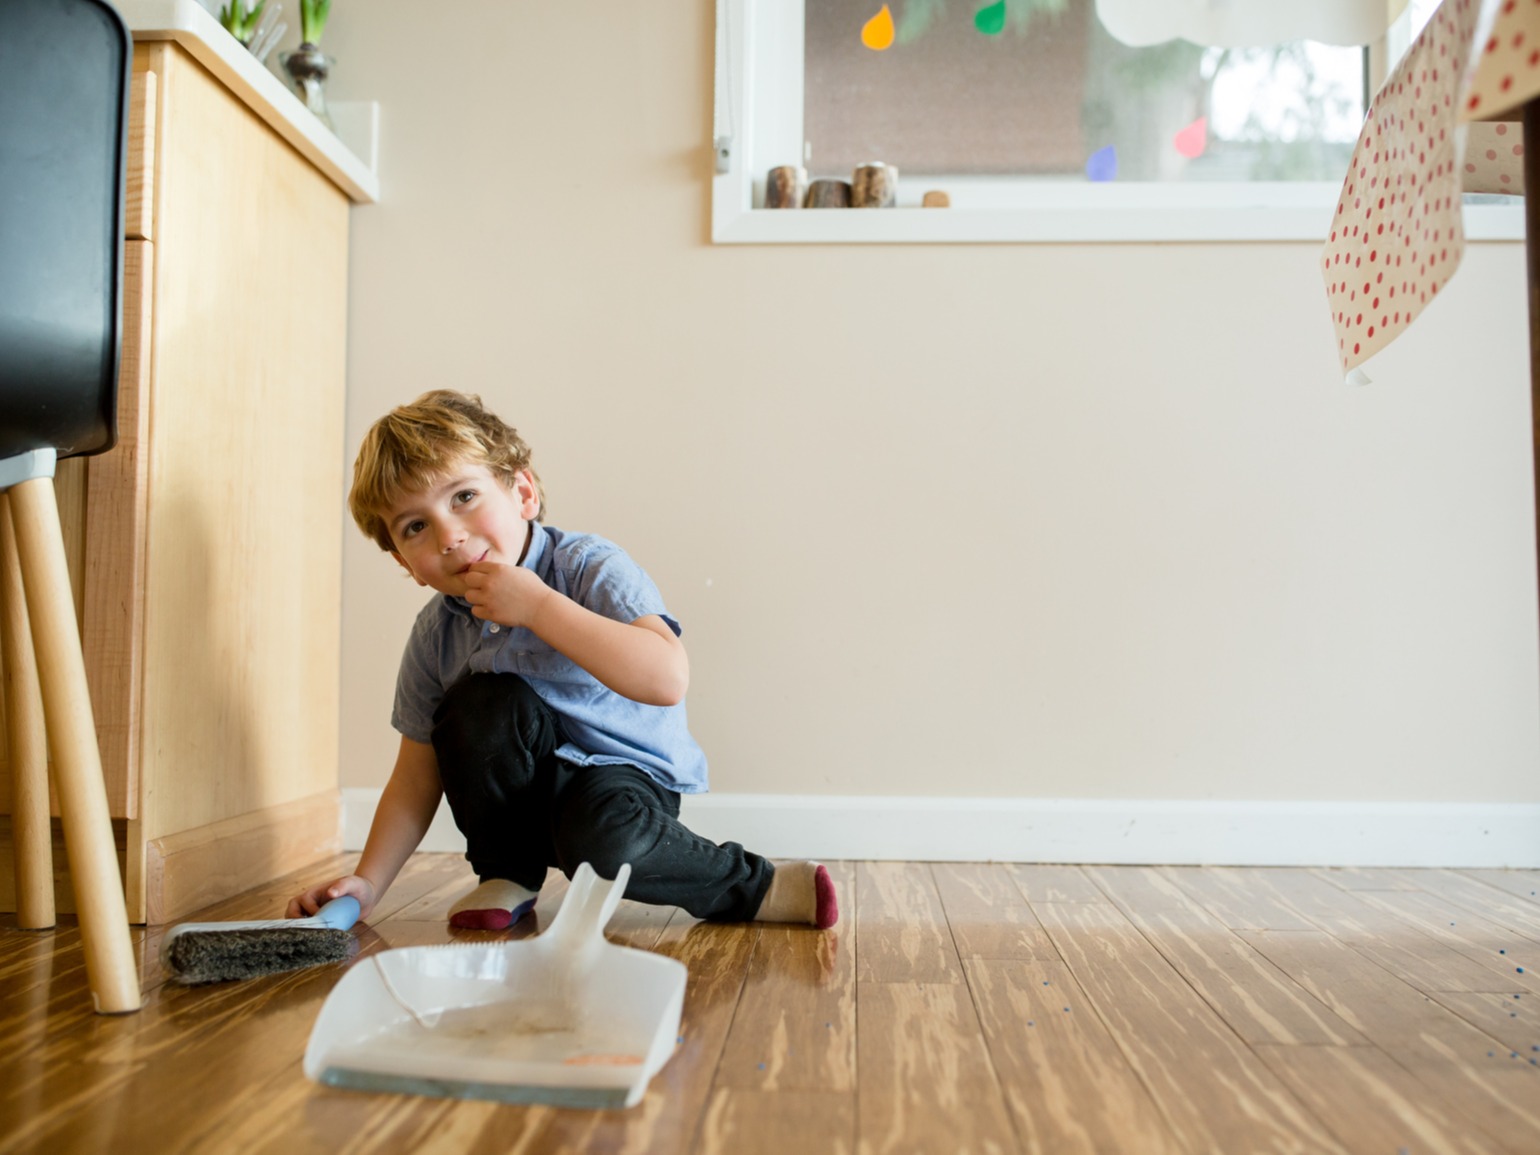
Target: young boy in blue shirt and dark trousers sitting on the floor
(543,694)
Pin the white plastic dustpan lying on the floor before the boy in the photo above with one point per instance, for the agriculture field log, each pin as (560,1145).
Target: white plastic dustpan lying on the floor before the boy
(564,1019)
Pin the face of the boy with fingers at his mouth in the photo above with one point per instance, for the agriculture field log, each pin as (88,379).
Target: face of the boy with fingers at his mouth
(467,517)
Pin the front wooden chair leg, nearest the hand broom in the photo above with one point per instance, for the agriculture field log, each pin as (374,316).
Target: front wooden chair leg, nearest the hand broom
(78,760)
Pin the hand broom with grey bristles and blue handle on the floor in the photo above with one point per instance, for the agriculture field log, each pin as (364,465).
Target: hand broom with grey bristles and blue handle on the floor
(215,952)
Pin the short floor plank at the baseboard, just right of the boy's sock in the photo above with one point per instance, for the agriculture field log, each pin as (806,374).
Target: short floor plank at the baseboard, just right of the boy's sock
(903,926)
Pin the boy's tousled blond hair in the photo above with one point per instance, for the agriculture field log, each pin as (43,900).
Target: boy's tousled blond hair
(417,444)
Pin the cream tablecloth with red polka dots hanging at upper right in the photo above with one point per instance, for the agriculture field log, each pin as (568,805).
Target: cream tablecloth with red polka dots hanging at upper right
(1398,233)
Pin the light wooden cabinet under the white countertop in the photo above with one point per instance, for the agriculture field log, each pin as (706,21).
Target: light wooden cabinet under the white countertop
(207,547)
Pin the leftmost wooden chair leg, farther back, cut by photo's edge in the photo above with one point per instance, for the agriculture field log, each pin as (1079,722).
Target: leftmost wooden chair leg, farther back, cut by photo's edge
(32,835)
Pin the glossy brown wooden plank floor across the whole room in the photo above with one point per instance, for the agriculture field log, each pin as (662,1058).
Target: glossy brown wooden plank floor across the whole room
(956,1009)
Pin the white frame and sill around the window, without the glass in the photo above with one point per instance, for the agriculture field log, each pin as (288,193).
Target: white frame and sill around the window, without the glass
(760,113)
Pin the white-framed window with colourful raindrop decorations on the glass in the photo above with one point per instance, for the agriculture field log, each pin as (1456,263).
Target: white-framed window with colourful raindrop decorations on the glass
(1039,124)
